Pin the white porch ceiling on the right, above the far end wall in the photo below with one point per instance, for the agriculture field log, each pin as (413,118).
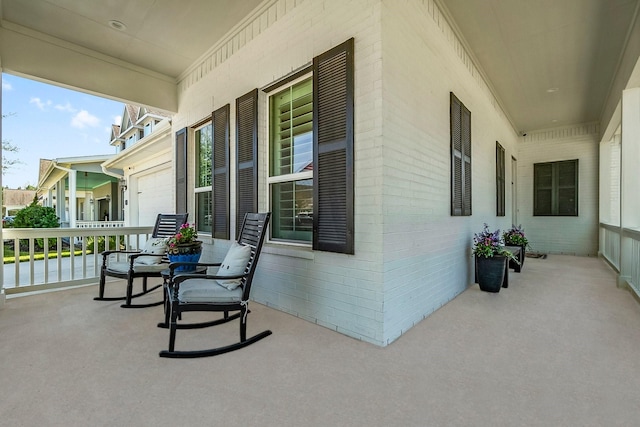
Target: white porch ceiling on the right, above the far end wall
(551,62)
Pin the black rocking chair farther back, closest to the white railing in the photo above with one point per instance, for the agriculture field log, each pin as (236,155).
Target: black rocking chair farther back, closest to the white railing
(146,263)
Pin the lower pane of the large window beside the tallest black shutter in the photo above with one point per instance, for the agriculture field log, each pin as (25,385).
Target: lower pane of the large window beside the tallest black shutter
(292,210)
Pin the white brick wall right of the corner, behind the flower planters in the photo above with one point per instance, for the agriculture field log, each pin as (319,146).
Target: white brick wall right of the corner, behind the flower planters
(427,252)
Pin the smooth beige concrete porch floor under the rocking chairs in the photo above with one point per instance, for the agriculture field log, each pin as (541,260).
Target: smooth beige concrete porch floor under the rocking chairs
(559,347)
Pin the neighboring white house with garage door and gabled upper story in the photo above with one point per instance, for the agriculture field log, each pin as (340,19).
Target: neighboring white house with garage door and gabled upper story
(144,156)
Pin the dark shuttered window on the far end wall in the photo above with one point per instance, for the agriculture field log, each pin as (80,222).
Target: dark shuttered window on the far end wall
(555,188)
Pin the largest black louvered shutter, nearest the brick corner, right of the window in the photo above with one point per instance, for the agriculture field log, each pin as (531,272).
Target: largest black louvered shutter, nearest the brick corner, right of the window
(333,149)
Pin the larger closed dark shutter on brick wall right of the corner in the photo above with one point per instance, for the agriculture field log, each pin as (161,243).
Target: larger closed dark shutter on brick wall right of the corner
(460,122)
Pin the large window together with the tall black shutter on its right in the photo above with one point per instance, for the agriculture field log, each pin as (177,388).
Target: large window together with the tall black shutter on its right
(311,154)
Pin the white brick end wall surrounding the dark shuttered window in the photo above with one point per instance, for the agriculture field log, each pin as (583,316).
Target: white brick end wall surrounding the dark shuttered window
(553,234)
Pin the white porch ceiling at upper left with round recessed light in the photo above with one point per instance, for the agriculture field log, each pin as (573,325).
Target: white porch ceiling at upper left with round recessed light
(165,36)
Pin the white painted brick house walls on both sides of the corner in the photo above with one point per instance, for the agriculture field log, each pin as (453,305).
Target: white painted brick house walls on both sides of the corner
(411,255)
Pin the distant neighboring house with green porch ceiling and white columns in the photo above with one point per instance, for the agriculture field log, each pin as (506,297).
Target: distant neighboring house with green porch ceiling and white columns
(89,194)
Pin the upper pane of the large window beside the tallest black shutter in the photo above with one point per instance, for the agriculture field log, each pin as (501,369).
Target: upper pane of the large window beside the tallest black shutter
(292,129)
